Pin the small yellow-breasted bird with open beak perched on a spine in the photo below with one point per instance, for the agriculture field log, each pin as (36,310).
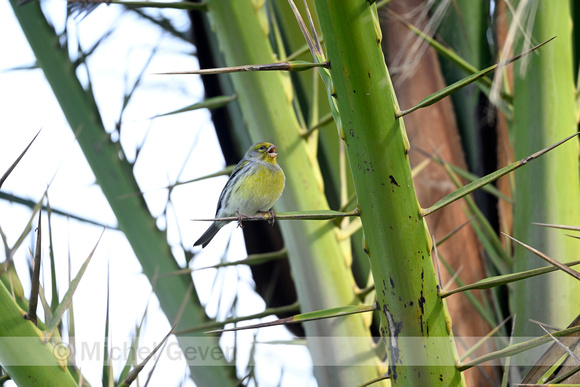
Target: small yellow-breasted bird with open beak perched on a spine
(254,186)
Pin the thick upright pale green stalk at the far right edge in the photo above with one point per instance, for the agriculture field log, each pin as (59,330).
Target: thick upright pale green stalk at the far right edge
(546,191)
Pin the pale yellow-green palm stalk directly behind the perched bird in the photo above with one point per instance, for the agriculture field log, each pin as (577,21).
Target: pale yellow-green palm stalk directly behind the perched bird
(318,267)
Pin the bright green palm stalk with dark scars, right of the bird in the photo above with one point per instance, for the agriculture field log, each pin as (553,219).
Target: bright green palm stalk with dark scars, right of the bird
(397,239)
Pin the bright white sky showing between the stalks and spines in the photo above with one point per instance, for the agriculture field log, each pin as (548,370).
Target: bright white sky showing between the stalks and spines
(27,105)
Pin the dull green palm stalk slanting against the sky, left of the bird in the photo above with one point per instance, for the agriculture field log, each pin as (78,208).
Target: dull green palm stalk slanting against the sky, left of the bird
(117,181)
